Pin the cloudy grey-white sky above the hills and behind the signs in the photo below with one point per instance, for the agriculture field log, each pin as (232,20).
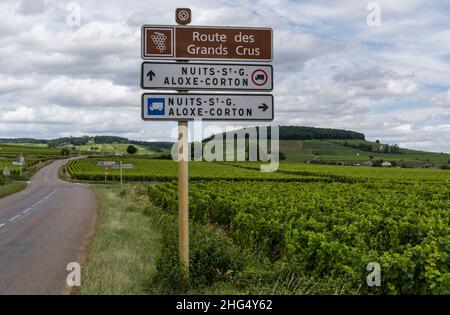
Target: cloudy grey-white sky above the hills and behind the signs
(333,69)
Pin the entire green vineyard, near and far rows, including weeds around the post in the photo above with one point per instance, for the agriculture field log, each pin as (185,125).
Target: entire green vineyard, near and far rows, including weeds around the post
(321,224)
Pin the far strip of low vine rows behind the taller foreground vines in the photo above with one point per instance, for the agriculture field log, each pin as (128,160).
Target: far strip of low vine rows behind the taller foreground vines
(166,170)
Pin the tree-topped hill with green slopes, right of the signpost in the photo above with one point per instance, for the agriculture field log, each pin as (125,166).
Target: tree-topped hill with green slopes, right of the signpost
(335,146)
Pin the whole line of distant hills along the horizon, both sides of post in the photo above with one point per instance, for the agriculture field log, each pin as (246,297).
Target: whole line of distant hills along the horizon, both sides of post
(297,145)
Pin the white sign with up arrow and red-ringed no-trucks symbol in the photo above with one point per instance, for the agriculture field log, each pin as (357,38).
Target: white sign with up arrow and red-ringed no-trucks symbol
(204,76)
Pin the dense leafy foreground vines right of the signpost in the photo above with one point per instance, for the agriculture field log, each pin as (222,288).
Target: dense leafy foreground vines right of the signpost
(334,229)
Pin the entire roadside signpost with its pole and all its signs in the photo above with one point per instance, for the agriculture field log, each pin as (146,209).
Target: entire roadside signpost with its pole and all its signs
(182,43)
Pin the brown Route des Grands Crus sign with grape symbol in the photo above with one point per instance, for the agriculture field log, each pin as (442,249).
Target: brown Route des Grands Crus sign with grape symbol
(206,43)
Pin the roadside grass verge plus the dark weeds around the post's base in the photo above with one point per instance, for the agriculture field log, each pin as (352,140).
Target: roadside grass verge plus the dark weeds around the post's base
(135,251)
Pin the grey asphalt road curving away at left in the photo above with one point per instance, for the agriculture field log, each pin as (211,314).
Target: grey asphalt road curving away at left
(42,229)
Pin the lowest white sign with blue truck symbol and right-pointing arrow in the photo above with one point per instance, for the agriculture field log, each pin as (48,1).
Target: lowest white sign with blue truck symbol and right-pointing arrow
(182,106)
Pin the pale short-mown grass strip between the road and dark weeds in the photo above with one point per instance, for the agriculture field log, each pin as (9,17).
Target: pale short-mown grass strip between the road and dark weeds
(122,253)
